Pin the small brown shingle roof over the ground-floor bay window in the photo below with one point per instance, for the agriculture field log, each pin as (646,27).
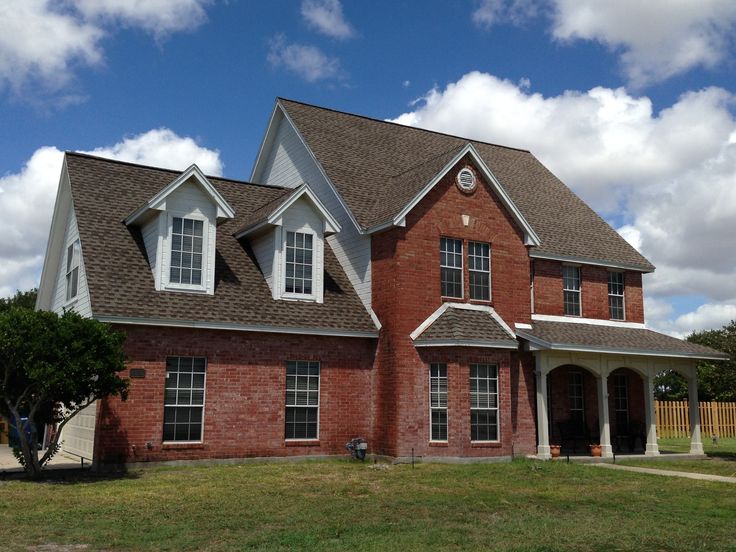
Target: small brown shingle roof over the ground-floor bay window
(464,325)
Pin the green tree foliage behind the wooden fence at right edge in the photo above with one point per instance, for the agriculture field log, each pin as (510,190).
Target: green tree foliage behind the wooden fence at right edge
(717,379)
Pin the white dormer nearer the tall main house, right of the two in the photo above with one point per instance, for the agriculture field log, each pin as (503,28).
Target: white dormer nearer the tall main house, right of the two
(287,236)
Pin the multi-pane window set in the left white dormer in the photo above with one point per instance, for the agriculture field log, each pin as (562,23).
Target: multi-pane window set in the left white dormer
(186,251)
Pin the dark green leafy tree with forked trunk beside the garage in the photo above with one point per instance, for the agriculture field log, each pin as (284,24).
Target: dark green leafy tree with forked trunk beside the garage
(52,368)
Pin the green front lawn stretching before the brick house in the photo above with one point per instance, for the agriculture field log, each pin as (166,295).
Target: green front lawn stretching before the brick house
(342,505)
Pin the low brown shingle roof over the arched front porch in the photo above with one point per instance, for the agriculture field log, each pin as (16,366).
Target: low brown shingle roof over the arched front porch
(572,336)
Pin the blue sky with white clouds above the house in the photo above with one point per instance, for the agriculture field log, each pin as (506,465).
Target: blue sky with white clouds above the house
(631,105)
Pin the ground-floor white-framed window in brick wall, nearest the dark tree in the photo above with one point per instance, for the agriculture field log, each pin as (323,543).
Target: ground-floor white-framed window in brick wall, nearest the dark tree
(184,398)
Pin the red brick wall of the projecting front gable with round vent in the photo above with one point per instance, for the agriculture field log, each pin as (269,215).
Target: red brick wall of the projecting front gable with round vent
(406,290)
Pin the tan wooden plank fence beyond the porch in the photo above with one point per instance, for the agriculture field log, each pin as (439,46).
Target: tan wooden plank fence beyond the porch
(716,418)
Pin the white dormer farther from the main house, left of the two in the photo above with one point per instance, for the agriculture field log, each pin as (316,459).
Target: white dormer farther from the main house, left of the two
(179,228)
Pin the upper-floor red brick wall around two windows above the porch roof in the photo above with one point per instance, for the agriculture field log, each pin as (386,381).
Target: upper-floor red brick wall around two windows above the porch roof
(548,296)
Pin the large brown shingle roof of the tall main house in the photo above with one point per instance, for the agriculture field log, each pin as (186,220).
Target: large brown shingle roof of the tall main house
(378,167)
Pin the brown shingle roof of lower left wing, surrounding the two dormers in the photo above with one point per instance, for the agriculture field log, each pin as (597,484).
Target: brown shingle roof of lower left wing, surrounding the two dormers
(120,280)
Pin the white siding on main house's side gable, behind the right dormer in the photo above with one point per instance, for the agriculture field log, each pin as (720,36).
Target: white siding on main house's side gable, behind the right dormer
(290,164)
